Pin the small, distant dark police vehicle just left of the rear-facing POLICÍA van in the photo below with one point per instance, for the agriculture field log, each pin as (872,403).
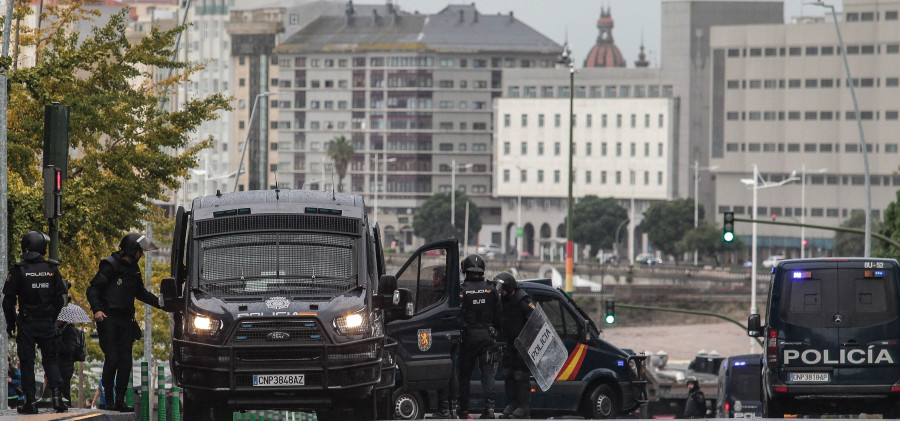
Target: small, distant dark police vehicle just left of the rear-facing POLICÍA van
(739,387)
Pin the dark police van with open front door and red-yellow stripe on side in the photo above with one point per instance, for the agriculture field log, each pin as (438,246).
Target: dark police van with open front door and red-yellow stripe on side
(598,380)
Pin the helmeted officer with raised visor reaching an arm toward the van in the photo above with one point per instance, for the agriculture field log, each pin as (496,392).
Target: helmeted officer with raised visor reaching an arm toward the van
(111,294)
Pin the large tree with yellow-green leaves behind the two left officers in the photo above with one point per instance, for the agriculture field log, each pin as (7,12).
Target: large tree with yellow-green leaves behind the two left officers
(130,150)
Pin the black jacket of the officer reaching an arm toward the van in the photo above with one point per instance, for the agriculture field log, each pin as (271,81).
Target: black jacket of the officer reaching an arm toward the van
(116,285)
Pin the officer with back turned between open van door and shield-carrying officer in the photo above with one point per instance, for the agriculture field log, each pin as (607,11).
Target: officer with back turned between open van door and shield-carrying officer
(481,318)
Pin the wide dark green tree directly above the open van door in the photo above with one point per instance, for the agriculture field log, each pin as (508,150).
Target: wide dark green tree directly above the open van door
(432,222)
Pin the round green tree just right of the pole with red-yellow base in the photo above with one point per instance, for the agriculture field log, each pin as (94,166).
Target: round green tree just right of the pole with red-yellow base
(595,221)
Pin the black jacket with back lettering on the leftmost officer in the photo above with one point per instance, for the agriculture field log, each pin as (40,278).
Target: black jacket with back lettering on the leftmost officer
(39,287)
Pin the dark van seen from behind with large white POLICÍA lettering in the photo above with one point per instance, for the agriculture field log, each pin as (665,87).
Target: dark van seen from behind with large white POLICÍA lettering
(831,338)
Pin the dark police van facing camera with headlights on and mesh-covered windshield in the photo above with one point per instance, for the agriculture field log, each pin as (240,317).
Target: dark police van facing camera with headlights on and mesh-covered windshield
(277,299)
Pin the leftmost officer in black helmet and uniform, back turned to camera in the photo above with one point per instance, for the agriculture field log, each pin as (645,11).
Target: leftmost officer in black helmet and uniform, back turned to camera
(40,290)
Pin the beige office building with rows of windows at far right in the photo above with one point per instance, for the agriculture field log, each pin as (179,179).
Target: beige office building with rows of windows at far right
(780,101)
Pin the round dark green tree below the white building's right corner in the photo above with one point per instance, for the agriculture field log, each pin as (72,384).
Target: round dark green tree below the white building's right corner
(666,223)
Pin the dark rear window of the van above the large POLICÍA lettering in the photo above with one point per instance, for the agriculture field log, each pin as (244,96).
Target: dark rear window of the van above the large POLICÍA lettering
(862,298)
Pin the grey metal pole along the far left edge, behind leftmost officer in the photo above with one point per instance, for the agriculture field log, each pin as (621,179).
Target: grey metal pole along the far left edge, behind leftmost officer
(4,185)
